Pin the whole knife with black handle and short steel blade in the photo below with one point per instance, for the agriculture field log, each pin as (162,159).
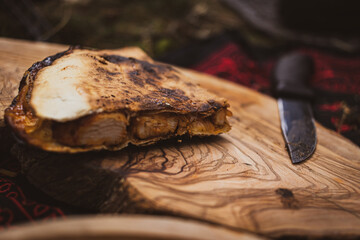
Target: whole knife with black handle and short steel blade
(291,75)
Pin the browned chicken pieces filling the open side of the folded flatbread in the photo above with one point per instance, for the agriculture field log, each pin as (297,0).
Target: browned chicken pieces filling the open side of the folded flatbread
(115,128)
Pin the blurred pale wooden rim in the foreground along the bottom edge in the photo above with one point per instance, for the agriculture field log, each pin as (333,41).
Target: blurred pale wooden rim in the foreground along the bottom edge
(131,227)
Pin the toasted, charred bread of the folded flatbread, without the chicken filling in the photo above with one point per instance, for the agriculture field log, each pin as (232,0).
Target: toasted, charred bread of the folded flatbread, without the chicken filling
(79,83)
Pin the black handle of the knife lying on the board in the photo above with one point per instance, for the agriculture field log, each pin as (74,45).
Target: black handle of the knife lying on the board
(291,76)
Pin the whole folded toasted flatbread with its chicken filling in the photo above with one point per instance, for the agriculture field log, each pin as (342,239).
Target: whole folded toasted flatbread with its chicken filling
(82,100)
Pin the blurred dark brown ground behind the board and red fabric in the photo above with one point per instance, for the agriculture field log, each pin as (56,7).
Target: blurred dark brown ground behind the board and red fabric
(159,26)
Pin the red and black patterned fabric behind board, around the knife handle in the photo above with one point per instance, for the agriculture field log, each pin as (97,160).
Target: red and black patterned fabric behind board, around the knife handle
(333,76)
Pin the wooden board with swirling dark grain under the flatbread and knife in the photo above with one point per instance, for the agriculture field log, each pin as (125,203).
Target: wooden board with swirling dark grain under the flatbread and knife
(243,179)
